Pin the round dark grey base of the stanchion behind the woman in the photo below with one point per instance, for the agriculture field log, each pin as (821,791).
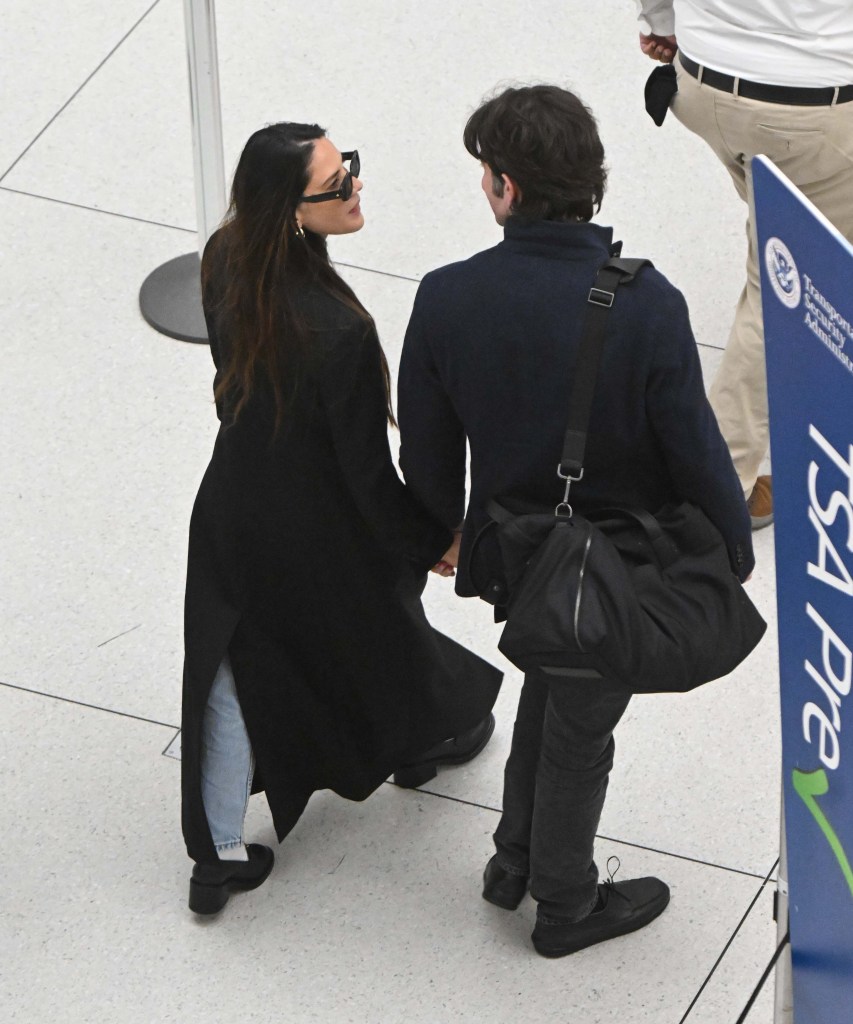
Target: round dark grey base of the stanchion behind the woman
(170,300)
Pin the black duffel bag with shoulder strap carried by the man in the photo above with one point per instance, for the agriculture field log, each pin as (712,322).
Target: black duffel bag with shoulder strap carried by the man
(650,602)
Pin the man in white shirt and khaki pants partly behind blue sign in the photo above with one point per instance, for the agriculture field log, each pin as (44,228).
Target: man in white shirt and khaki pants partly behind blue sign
(774,77)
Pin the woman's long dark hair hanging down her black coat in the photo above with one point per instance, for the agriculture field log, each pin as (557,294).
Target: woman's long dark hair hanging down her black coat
(264,261)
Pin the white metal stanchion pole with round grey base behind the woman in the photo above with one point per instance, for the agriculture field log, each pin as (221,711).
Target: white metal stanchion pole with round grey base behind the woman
(170,298)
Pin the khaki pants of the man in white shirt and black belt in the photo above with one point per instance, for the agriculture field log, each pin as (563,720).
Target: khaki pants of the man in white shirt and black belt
(814,147)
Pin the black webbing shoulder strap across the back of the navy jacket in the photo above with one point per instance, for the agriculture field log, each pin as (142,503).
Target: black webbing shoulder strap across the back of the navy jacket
(616,272)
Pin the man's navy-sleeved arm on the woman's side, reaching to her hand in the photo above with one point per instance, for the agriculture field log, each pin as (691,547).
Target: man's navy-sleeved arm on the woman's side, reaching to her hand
(433,439)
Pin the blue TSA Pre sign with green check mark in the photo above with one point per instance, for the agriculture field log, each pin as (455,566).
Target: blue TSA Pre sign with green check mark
(807,298)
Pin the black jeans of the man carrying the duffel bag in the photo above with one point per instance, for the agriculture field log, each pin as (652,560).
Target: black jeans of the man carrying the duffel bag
(555,786)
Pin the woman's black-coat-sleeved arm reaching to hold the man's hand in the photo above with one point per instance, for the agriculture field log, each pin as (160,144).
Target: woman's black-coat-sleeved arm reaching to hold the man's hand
(353,393)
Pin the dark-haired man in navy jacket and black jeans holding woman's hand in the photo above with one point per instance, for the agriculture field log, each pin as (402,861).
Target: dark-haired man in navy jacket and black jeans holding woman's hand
(488,358)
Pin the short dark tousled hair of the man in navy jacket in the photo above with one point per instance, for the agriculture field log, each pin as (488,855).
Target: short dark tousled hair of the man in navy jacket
(547,142)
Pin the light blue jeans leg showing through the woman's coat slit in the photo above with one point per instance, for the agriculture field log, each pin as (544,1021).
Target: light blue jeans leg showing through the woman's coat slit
(228,762)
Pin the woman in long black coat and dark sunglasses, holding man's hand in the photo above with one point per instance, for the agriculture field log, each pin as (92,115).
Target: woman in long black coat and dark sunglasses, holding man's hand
(310,664)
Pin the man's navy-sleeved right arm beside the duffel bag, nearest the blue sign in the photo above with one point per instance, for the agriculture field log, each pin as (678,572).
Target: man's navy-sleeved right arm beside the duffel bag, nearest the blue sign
(697,456)
